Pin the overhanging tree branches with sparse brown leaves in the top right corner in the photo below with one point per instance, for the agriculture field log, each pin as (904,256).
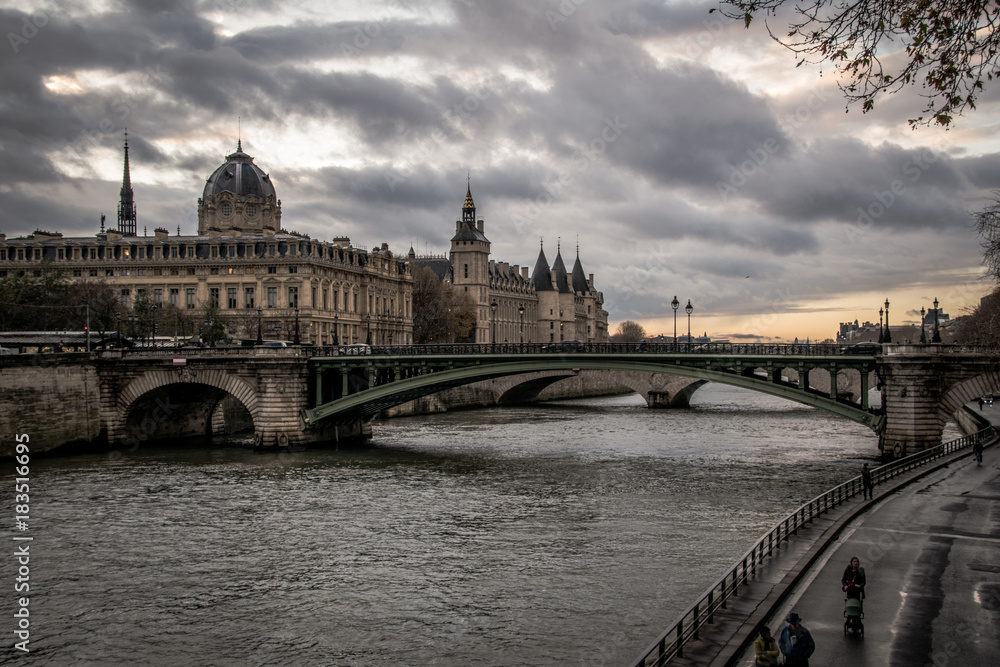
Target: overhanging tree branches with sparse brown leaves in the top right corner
(951,46)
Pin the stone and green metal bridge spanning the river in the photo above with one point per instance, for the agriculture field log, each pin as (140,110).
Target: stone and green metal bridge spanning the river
(298,396)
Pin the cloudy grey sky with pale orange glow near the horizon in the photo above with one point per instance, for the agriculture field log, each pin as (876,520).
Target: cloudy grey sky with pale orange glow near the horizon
(684,154)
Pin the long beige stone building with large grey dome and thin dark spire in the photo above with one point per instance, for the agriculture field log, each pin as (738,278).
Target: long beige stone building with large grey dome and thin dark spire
(241,271)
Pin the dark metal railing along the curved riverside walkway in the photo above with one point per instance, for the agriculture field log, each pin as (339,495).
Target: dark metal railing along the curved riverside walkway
(687,626)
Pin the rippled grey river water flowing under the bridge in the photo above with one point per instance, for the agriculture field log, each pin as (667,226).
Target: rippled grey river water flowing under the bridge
(566,533)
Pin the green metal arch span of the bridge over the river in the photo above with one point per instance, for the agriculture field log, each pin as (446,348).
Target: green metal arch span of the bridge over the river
(381,397)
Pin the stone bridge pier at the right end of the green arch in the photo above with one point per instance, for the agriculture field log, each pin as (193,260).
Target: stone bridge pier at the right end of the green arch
(926,385)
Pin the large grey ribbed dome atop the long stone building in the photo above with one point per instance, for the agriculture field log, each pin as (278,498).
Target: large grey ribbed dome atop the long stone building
(239,196)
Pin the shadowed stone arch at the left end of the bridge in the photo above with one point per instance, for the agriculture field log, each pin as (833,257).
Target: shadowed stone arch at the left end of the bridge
(163,404)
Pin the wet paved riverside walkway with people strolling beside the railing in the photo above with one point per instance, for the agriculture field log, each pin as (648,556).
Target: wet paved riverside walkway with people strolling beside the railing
(930,545)
